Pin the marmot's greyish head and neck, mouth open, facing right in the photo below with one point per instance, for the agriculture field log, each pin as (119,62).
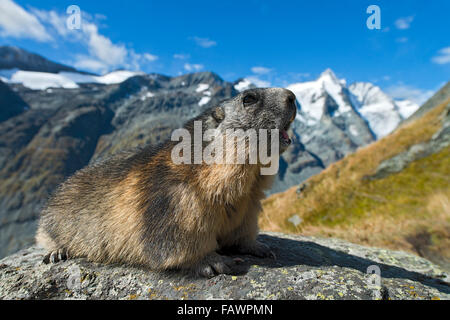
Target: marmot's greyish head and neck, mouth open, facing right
(256,120)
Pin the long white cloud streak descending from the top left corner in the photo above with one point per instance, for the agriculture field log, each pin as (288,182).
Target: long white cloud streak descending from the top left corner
(102,53)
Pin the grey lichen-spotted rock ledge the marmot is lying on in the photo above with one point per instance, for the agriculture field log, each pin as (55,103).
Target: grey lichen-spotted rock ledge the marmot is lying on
(305,268)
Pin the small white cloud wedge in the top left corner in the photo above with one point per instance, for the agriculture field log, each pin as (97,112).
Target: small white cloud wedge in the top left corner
(19,23)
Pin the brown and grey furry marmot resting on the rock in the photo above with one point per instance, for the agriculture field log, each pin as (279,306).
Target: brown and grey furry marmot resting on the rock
(142,209)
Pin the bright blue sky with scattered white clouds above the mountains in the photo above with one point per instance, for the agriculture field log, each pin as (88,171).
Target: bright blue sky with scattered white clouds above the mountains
(273,42)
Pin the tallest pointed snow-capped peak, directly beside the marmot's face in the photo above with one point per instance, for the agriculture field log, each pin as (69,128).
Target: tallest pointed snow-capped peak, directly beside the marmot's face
(327,128)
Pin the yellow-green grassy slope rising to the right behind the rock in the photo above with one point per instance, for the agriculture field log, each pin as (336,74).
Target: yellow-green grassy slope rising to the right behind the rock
(409,210)
